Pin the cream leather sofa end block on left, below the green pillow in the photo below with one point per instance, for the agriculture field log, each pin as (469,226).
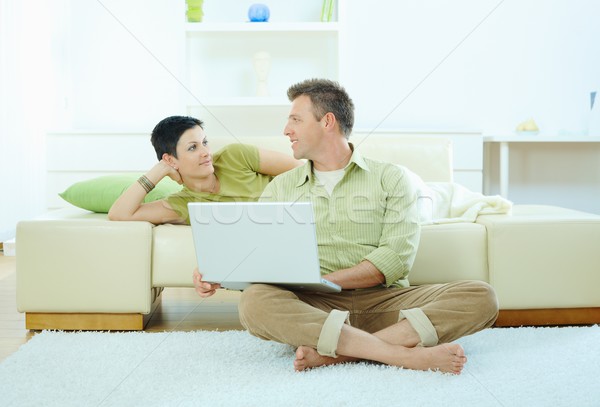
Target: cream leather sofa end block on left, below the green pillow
(84,265)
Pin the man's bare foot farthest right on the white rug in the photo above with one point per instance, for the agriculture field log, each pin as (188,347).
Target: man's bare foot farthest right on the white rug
(448,358)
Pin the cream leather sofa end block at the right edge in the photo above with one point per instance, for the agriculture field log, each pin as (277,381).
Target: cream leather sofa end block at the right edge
(544,257)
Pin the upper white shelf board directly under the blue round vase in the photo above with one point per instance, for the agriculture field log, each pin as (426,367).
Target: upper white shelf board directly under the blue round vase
(198,28)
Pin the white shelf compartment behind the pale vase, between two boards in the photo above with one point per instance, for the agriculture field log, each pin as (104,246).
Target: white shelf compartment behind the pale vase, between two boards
(219,60)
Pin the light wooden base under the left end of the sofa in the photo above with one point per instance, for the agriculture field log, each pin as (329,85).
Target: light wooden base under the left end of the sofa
(90,321)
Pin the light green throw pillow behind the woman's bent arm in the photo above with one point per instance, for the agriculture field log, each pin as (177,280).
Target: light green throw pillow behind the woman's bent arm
(98,194)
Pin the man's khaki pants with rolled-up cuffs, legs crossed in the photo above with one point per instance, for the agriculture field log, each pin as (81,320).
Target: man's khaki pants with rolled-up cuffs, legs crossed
(439,313)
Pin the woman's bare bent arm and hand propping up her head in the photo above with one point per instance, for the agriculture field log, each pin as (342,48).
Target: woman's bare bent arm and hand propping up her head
(130,206)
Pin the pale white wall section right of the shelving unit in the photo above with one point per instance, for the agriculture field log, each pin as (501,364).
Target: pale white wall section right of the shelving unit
(472,63)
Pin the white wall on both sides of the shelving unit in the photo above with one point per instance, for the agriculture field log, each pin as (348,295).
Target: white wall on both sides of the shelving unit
(476,64)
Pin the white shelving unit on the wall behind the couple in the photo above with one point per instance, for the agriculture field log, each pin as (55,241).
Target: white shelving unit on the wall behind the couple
(221,81)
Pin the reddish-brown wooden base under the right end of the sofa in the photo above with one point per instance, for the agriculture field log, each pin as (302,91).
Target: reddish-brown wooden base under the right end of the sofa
(548,317)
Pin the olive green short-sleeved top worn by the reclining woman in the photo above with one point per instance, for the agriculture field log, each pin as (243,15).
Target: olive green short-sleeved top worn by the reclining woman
(237,168)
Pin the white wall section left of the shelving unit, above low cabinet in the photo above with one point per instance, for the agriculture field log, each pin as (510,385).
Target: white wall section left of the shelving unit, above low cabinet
(125,61)
